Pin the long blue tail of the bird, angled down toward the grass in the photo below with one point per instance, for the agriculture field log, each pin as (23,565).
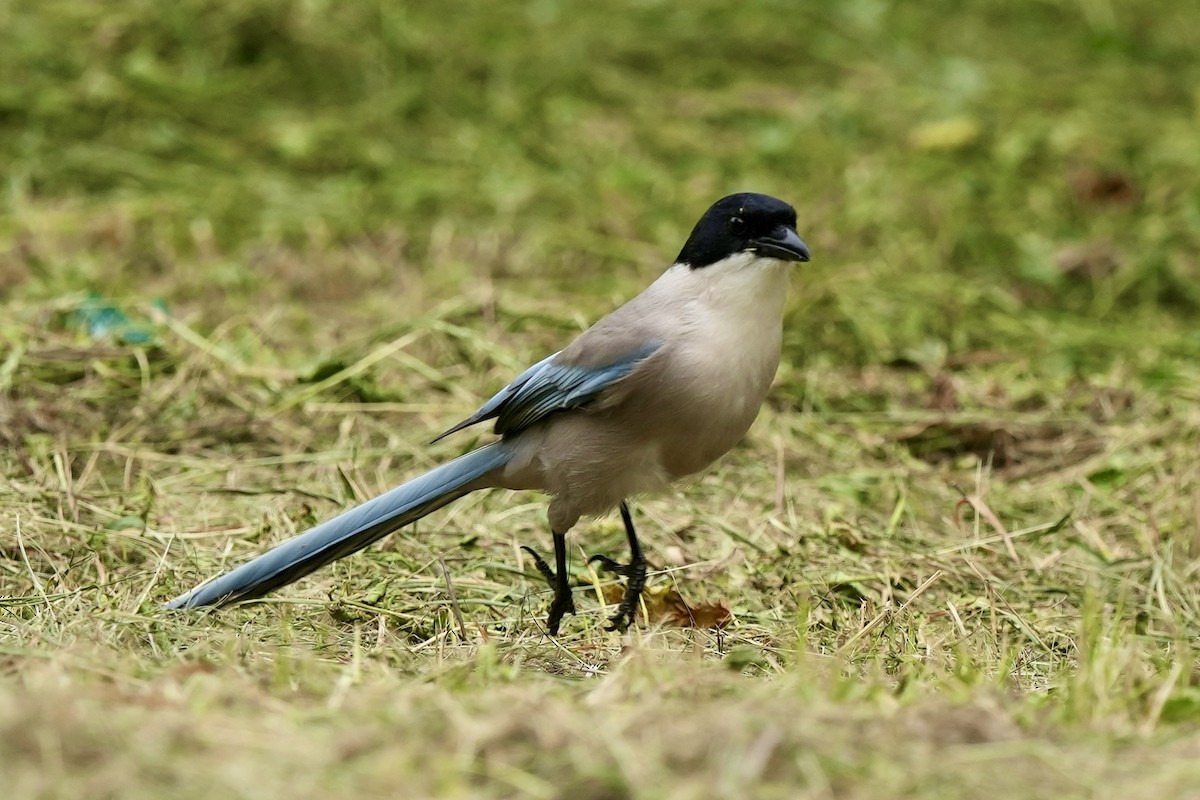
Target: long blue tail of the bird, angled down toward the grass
(350,532)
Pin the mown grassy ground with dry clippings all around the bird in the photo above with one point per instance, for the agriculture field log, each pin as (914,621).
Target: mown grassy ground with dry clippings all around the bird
(253,257)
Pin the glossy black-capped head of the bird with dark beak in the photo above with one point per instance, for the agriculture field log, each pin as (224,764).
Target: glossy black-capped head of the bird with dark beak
(745,224)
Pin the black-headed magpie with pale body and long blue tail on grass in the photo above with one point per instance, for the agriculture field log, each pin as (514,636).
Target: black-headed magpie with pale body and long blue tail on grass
(651,394)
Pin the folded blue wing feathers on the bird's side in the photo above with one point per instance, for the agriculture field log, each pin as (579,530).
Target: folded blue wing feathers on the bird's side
(550,387)
